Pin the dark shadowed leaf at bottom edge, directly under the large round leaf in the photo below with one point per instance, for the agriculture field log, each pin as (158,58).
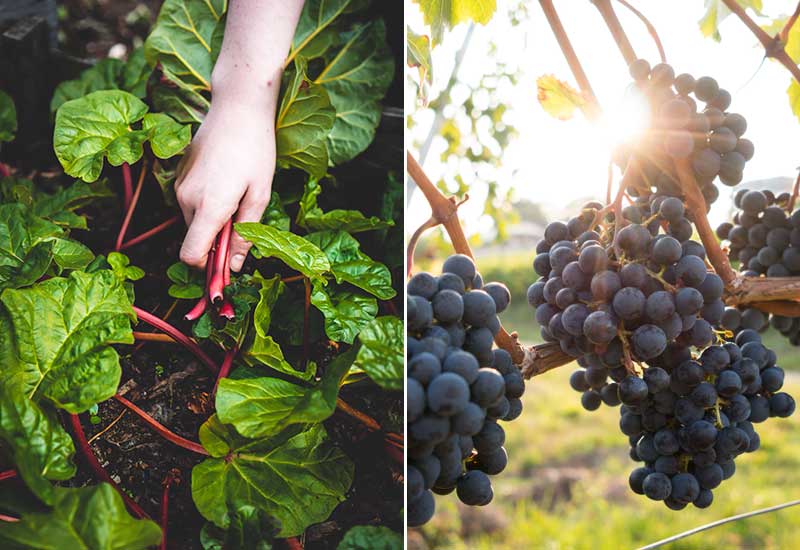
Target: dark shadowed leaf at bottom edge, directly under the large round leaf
(249,529)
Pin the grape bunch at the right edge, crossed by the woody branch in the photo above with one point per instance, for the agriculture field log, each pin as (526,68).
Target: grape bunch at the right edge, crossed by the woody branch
(765,241)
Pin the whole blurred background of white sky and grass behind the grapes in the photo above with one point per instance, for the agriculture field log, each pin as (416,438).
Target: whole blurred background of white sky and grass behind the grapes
(481,131)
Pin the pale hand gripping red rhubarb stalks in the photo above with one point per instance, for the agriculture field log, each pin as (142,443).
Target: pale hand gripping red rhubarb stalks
(227,171)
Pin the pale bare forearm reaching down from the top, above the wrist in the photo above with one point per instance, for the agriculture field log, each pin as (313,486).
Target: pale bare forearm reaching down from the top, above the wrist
(258,36)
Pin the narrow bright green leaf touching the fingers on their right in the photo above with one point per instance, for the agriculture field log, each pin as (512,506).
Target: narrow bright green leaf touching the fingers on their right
(293,250)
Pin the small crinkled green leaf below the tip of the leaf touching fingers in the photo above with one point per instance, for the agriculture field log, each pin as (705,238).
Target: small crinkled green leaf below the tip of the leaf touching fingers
(346,312)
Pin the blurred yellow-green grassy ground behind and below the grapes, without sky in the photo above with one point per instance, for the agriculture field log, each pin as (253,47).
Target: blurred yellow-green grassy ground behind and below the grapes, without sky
(566,484)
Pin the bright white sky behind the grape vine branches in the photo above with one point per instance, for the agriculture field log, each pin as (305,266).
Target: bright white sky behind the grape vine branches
(554,162)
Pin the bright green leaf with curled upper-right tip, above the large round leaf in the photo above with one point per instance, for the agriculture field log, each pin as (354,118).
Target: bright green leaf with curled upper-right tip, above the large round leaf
(260,407)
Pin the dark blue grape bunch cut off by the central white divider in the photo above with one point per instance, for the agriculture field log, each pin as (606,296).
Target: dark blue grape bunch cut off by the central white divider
(458,387)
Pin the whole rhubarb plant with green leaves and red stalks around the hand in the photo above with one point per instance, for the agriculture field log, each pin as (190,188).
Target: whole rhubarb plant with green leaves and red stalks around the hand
(310,322)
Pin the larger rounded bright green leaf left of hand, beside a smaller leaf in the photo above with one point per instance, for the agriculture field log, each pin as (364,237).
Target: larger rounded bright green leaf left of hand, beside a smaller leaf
(97,126)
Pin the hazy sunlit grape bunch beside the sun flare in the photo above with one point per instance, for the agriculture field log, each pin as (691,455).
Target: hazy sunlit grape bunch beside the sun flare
(709,136)
